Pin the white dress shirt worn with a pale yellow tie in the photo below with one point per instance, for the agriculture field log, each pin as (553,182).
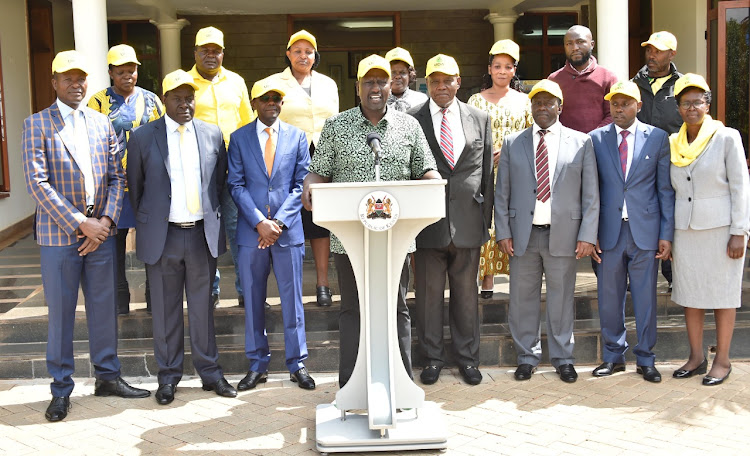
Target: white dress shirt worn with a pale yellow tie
(190,160)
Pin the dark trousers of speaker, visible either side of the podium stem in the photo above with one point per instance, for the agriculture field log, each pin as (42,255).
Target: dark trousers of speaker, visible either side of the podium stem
(349,318)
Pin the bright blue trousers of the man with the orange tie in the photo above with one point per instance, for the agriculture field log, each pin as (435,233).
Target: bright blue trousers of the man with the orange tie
(255,265)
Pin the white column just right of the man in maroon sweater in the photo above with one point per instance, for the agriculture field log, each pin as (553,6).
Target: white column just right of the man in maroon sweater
(611,38)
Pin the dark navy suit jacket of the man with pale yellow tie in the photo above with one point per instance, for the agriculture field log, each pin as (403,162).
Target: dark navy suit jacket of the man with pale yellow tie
(151,190)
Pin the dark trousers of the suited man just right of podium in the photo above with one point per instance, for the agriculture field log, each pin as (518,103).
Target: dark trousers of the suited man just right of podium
(462,266)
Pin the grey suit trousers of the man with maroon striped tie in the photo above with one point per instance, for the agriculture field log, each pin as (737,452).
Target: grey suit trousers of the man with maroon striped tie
(524,314)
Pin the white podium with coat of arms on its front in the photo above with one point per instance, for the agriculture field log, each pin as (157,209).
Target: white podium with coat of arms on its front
(376,222)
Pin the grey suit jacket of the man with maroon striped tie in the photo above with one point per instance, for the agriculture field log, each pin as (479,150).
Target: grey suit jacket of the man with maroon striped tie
(575,192)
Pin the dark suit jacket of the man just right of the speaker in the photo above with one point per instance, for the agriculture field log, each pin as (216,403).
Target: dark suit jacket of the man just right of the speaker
(468,193)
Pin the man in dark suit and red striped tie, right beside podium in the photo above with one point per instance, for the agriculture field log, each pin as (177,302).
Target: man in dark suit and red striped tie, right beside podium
(460,138)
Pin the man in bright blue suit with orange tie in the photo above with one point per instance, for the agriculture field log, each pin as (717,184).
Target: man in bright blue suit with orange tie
(268,161)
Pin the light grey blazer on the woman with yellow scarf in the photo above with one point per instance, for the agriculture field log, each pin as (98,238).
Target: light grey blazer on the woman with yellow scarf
(714,191)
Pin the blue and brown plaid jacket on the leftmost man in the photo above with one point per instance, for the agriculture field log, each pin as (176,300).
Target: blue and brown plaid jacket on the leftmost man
(55,181)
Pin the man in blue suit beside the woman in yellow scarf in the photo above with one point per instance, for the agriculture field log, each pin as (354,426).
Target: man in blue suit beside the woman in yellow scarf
(636,225)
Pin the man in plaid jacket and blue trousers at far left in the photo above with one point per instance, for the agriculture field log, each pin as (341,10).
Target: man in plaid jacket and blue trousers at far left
(74,176)
